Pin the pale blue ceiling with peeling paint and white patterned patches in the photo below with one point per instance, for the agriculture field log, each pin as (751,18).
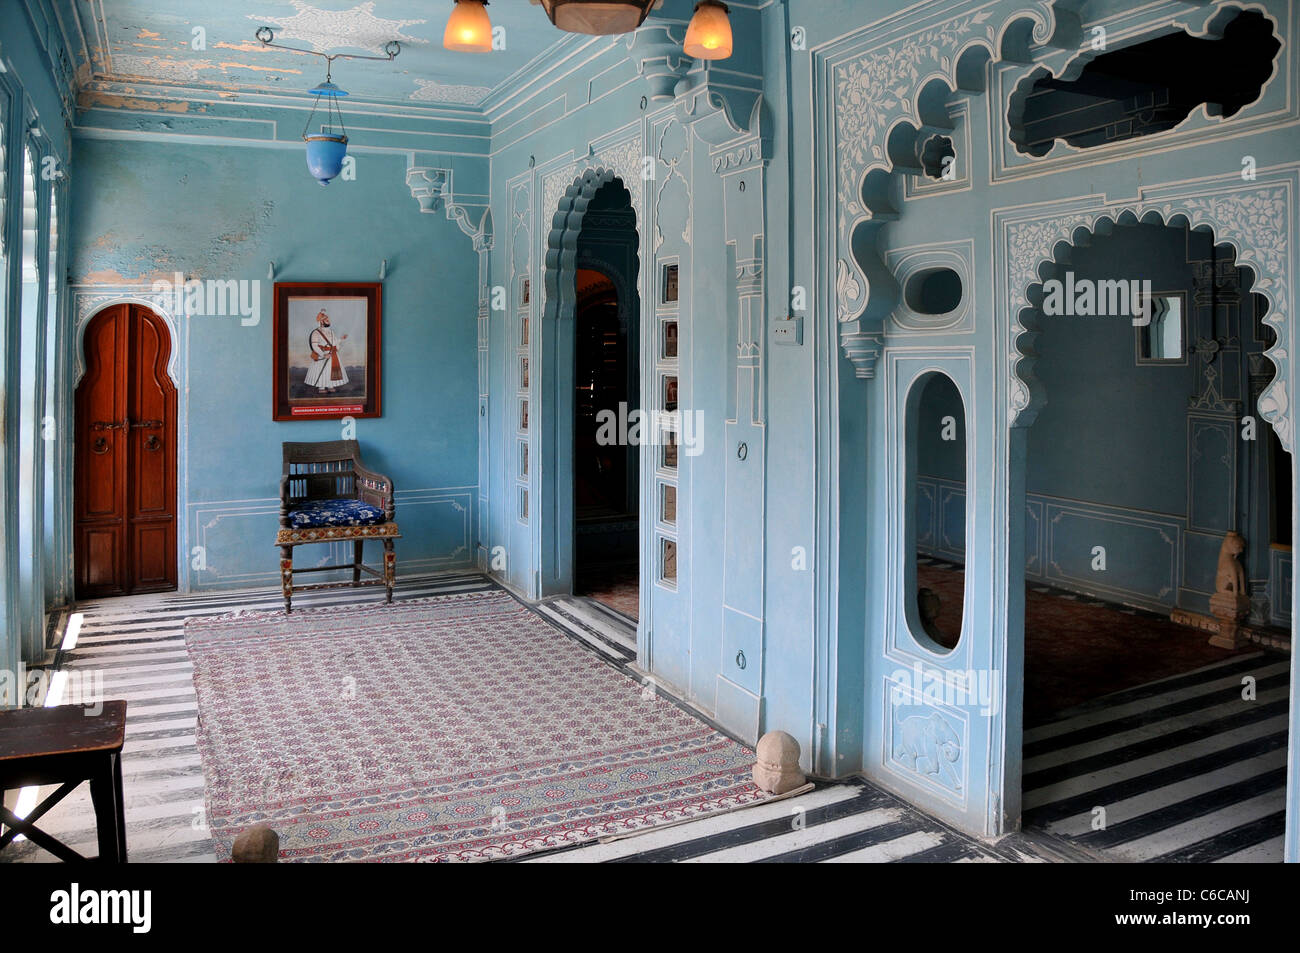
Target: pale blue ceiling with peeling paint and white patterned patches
(133,41)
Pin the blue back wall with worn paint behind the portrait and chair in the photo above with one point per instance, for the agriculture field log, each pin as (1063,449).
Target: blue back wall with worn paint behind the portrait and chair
(224,214)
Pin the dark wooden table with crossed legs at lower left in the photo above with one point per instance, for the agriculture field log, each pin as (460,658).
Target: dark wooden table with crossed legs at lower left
(66,746)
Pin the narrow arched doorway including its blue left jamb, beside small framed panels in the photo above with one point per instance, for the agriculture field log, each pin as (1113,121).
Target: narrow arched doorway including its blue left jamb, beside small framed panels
(590,380)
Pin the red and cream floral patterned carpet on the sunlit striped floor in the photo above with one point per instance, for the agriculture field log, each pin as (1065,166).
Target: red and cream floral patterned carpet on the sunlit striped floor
(456,729)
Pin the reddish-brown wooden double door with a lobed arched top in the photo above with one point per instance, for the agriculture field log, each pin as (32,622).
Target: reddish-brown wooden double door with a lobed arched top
(125,457)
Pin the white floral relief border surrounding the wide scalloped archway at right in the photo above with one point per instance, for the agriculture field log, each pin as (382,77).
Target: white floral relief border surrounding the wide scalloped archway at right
(1258,220)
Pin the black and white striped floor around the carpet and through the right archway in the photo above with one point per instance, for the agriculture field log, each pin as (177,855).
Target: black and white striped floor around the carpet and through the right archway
(1184,770)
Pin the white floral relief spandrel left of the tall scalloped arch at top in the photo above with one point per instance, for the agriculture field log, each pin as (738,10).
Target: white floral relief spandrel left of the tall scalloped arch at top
(876,81)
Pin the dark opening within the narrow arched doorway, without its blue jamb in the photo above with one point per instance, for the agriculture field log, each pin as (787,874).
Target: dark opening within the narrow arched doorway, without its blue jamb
(606,406)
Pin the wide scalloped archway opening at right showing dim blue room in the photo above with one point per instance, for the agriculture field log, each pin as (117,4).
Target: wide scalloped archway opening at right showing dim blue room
(1151,731)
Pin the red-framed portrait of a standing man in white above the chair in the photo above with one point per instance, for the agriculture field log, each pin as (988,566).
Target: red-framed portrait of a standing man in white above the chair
(327,350)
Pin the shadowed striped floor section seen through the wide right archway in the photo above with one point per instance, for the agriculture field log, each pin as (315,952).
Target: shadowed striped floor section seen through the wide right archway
(1184,769)
